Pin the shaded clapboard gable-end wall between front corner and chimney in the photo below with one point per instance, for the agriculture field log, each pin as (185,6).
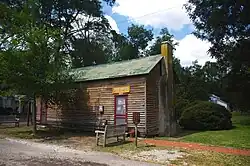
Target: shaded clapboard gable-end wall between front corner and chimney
(152,100)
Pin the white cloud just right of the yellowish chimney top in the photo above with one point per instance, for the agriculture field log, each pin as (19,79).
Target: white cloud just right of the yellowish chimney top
(190,49)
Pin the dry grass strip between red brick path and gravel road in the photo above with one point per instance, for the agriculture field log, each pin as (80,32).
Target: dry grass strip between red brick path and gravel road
(191,157)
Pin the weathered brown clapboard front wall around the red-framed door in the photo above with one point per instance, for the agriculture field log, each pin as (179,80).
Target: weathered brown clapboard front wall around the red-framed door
(91,94)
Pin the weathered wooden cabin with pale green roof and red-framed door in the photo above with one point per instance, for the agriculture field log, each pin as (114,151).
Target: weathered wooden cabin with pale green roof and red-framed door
(113,92)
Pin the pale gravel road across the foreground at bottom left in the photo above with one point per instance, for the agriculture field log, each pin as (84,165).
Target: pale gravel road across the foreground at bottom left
(26,153)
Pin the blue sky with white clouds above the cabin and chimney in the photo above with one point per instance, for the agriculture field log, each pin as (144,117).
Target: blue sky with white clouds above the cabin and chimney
(158,14)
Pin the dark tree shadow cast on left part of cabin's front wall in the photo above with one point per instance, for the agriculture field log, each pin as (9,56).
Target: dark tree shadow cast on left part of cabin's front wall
(72,111)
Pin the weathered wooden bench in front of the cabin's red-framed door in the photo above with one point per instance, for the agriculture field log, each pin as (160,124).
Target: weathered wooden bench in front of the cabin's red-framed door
(111,131)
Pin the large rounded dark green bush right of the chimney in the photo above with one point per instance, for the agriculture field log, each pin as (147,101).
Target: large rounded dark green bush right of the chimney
(204,115)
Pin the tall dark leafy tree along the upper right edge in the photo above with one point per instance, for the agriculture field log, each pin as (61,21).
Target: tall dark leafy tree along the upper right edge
(225,24)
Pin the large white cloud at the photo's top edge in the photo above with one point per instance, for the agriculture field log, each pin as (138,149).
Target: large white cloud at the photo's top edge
(157,13)
